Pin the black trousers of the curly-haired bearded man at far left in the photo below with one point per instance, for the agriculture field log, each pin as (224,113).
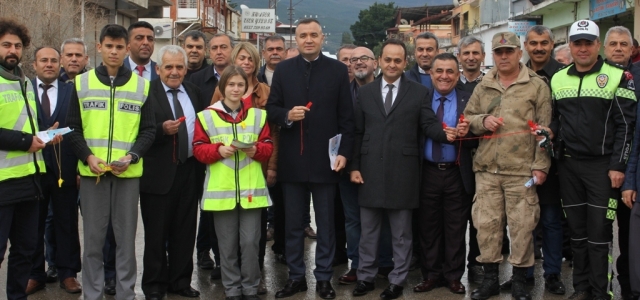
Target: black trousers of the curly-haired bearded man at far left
(18,224)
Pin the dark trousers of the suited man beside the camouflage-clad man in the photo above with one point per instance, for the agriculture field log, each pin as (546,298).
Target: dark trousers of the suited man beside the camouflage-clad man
(444,209)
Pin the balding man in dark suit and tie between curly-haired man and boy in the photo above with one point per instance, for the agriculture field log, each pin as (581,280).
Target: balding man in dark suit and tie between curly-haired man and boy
(53,98)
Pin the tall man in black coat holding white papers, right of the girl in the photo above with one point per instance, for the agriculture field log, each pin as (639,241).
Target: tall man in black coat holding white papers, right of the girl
(304,165)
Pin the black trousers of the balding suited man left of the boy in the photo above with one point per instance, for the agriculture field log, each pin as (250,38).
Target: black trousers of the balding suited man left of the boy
(64,202)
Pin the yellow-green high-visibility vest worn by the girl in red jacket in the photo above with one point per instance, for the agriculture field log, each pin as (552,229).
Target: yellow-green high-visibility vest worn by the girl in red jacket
(237,179)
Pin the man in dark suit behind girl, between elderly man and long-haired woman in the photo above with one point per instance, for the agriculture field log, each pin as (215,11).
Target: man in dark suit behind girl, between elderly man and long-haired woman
(220,47)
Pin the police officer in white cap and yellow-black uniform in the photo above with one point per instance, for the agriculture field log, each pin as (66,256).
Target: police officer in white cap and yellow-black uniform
(594,120)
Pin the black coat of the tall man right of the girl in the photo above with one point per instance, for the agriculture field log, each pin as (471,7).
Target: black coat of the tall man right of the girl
(303,146)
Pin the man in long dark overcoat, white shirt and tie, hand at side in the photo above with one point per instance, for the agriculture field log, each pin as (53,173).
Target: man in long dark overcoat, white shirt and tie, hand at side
(390,108)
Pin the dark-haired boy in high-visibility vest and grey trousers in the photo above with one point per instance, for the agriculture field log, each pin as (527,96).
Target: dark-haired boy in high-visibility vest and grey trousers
(113,128)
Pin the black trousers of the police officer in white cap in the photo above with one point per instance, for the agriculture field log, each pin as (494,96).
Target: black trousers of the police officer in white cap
(590,204)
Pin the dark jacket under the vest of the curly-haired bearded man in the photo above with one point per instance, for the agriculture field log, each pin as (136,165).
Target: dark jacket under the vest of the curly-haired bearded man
(25,188)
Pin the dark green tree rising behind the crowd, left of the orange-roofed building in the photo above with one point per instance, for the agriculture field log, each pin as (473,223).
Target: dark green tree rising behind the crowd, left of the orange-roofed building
(372,24)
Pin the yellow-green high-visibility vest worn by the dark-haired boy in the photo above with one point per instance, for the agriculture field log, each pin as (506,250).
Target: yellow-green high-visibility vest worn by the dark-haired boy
(111,118)
